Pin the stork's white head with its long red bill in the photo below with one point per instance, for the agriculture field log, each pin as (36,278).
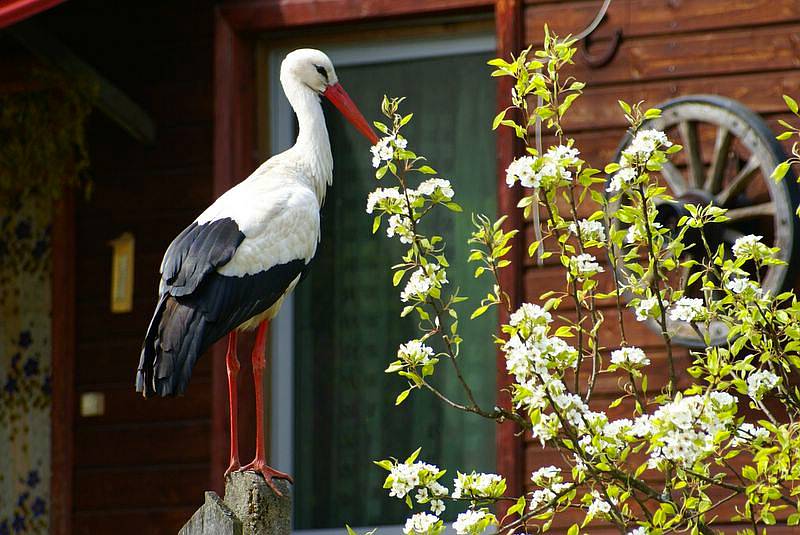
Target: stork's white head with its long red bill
(309,69)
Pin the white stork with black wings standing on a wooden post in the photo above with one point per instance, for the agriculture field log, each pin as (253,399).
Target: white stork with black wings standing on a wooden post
(231,269)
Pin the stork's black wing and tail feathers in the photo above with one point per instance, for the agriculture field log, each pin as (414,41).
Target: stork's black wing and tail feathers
(198,305)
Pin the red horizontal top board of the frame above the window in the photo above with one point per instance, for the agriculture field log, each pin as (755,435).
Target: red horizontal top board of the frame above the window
(261,15)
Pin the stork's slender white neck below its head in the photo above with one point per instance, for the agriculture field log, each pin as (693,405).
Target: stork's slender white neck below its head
(313,147)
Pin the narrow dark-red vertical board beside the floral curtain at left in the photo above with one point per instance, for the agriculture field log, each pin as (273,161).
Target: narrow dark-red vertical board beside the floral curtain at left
(63,365)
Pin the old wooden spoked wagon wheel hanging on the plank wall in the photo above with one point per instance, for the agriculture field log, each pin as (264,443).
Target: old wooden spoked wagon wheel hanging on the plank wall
(728,156)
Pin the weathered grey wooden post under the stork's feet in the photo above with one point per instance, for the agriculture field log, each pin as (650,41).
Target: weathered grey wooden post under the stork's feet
(250,507)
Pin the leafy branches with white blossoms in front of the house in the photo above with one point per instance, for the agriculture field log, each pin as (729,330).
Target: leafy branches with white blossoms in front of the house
(680,453)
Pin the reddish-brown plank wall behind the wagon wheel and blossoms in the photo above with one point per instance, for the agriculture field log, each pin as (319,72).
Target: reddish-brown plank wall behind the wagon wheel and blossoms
(748,50)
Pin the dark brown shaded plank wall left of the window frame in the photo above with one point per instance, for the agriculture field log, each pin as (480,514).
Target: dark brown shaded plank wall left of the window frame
(142,466)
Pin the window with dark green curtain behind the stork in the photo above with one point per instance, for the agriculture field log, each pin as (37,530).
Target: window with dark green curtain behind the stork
(343,327)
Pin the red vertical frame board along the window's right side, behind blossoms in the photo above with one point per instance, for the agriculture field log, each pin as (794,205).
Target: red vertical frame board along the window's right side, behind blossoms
(508,23)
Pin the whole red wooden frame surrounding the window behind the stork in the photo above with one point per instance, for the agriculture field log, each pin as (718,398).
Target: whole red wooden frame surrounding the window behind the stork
(237,27)
